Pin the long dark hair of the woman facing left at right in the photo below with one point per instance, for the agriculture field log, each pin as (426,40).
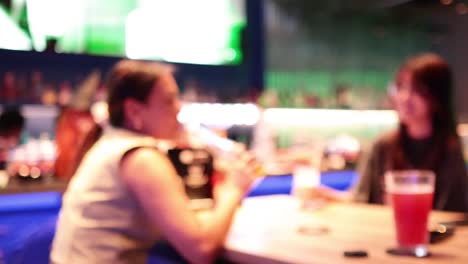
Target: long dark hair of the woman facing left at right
(432,78)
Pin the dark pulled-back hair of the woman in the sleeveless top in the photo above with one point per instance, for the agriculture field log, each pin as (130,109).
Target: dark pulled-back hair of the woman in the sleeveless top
(131,79)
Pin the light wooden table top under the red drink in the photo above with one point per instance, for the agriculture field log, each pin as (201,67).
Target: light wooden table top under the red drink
(272,229)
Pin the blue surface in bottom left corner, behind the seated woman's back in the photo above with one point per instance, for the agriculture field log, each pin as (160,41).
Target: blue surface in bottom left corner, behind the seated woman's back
(24,217)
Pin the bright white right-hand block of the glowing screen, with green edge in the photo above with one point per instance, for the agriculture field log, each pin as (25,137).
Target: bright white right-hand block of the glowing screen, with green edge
(192,36)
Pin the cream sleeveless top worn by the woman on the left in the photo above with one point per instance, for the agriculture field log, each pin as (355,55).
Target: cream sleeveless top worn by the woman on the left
(100,220)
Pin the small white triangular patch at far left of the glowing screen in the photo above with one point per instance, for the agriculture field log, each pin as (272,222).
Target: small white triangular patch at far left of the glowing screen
(11,36)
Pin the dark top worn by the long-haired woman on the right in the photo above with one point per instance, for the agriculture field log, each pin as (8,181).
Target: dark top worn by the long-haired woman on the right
(451,187)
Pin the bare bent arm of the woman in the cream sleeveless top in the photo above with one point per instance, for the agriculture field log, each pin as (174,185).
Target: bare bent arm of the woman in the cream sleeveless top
(152,178)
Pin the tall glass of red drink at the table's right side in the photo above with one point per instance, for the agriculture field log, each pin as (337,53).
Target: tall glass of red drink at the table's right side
(410,193)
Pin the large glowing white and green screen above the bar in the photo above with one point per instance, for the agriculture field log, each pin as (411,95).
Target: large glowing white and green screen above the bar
(185,31)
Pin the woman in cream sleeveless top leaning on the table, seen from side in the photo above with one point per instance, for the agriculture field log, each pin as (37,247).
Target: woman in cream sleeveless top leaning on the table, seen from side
(126,194)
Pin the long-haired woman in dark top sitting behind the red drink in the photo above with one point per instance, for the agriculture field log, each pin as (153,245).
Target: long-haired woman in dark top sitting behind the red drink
(426,137)
